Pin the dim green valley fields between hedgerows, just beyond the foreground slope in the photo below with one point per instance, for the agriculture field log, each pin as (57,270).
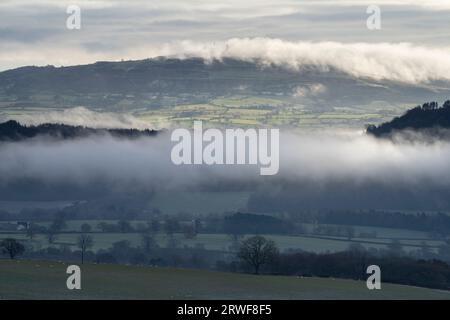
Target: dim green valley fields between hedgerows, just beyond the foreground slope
(410,240)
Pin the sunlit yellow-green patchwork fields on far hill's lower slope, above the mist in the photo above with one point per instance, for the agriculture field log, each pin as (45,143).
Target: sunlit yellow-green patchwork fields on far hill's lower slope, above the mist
(254,111)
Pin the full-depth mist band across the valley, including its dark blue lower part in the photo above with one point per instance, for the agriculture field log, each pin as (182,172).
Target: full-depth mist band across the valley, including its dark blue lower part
(314,166)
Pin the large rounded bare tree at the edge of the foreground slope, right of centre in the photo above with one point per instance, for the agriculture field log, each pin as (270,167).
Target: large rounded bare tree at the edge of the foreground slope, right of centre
(257,251)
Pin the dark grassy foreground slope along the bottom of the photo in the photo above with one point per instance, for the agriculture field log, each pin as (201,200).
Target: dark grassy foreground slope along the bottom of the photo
(47,280)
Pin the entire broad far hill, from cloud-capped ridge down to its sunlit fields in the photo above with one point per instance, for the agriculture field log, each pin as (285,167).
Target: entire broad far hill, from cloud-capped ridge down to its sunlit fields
(193,87)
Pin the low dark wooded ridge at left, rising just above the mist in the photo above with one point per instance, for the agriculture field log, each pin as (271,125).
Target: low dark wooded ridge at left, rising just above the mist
(14,131)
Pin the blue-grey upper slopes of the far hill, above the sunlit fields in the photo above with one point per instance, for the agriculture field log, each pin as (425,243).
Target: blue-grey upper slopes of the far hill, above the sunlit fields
(162,82)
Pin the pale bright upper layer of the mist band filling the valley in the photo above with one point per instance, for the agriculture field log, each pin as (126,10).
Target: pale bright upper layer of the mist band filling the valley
(315,158)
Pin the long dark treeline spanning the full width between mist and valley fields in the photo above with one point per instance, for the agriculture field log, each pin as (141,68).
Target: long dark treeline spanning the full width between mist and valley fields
(436,224)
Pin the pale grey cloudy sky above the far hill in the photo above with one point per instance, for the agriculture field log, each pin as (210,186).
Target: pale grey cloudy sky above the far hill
(35,32)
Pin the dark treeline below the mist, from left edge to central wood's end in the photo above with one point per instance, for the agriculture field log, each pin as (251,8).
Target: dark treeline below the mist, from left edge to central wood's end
(230,223)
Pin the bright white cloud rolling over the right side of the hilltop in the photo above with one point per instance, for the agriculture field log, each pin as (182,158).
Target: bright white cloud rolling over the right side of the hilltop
(401,62)
